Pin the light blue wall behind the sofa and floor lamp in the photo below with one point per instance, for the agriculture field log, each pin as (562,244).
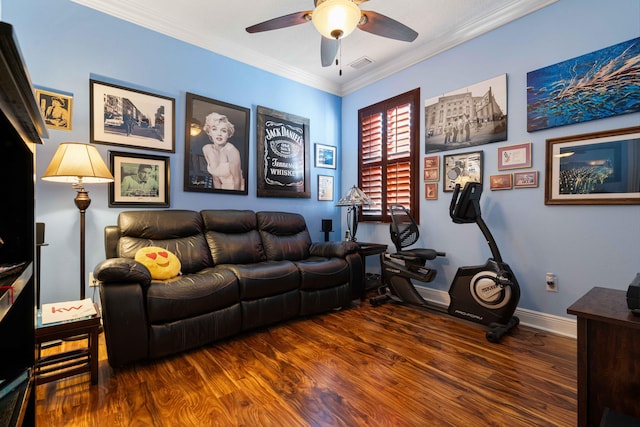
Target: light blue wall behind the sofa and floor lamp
(65,44)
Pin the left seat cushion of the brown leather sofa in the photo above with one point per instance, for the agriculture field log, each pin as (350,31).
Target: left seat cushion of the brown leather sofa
(190,295)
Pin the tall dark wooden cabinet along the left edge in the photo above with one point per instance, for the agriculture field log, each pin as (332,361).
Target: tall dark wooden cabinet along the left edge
(21,127)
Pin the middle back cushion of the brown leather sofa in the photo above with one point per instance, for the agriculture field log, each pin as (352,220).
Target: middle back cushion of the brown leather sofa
(232,236)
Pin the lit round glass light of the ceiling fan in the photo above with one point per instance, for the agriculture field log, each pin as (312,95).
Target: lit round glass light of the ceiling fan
(336,19)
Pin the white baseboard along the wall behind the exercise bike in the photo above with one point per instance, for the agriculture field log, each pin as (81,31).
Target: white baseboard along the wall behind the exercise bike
(535,319)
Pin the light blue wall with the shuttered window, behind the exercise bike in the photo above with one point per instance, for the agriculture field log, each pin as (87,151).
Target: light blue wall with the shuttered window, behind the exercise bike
(585,246)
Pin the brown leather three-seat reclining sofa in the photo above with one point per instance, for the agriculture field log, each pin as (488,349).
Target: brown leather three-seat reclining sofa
(240,270)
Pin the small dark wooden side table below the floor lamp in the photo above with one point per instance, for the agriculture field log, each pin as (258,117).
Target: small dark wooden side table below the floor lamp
(65,364)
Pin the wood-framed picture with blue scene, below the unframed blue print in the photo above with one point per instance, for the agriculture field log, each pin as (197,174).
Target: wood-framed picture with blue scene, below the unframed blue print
(599,168)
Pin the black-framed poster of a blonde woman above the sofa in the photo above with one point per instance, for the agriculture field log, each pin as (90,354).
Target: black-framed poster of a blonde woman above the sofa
(216,138)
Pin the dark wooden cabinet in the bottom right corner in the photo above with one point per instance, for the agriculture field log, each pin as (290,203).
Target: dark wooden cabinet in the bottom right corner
(608,355)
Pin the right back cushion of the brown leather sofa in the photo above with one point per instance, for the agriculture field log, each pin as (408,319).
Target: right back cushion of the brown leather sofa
(284,235)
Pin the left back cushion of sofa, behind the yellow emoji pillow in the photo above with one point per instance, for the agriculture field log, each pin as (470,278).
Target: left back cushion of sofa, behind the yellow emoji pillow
(178,231)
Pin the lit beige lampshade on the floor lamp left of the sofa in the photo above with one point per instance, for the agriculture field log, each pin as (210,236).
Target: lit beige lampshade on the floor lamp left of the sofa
(76,162)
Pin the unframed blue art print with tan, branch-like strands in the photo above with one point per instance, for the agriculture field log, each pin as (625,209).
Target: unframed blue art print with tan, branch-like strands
(594,86)
